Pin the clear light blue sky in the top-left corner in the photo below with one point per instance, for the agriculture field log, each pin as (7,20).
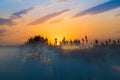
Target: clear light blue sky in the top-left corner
(8,7)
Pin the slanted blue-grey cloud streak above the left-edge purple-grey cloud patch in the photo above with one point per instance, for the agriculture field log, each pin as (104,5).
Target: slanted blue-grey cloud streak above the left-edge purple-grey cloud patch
(20,13)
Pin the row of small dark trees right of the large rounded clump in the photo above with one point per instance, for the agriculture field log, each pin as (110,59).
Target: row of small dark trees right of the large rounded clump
(96,43)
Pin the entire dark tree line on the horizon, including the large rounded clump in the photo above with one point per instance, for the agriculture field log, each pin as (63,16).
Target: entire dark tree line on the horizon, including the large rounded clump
(41,40)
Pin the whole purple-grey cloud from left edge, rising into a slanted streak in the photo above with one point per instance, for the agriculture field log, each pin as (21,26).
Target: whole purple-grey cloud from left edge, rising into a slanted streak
(10,21)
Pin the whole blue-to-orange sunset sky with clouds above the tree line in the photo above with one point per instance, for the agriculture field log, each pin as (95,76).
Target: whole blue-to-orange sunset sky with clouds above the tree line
(73,19)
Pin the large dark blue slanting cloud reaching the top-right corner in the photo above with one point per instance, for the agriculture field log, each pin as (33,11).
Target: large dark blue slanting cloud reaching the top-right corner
(107,6)
